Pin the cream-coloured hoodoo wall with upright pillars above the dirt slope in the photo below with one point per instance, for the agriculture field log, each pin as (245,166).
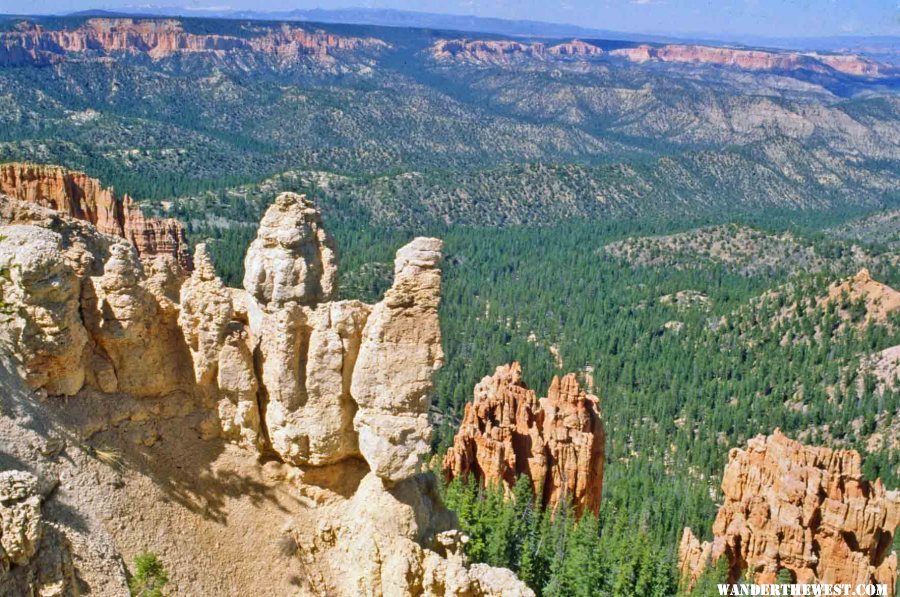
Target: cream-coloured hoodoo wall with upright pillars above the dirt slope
(286,367)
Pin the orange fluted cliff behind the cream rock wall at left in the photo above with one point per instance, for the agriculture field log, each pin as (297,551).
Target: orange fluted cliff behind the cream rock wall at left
(84,198)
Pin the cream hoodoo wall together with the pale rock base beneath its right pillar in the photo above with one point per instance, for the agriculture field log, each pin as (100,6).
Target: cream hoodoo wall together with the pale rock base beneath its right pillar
(280,368)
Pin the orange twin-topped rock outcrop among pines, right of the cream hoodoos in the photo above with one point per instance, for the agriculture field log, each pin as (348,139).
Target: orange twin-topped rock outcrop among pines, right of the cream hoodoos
(558,441)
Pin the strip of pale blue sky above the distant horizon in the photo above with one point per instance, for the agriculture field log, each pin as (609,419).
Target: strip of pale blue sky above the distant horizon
(768,18)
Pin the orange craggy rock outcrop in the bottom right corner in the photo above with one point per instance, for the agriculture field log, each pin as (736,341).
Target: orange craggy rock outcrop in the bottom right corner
(801,508)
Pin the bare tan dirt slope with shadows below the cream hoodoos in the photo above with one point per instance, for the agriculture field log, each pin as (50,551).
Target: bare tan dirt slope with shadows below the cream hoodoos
(216,518)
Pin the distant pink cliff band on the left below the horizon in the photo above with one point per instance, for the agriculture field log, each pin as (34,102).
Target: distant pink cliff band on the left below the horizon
(160,38)
